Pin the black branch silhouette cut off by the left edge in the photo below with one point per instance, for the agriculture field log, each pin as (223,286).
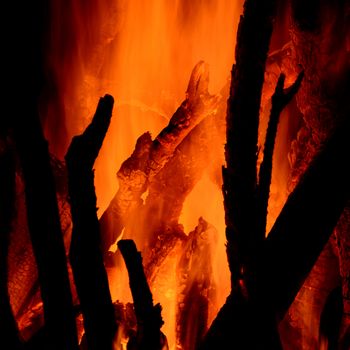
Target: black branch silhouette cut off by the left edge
(8,326)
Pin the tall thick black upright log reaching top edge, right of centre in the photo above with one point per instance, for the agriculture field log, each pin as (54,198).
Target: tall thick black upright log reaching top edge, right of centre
(242,120)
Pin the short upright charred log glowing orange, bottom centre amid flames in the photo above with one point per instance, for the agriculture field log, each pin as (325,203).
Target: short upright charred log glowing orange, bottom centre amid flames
(195,285)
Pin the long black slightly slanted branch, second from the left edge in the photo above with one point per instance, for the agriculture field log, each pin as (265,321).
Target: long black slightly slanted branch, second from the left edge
(40,193)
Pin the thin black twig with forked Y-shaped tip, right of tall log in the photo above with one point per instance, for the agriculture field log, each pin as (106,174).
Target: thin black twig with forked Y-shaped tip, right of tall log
(280,100)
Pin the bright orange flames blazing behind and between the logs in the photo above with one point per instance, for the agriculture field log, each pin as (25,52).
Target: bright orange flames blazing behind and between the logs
(142,53)
